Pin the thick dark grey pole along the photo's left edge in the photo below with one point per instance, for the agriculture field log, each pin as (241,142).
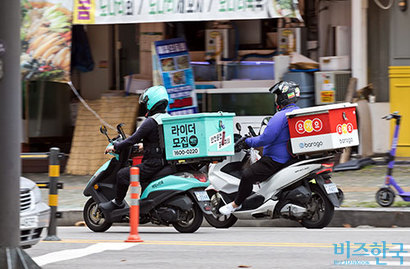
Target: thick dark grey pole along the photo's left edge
(11,255)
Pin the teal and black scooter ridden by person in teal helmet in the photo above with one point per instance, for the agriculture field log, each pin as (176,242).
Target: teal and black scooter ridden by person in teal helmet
(176,196)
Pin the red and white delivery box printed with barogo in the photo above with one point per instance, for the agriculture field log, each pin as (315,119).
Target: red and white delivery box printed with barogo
(323,128)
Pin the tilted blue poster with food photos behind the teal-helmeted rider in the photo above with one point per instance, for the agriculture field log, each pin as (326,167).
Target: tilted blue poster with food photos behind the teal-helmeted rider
(173,60)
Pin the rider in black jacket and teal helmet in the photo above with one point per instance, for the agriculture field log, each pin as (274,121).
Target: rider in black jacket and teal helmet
(156,100)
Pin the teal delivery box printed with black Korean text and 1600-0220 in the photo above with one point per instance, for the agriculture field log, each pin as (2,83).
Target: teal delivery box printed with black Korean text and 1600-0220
(202,135)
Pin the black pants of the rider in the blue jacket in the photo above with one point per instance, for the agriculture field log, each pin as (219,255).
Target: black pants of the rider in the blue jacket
(261,170)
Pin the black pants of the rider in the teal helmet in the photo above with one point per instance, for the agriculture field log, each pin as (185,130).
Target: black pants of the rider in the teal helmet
(147,171)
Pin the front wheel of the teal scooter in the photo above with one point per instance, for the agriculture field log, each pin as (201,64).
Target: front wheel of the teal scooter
(94,218)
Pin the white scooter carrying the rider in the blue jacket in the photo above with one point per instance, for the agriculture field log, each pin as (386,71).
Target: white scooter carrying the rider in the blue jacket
(302,191)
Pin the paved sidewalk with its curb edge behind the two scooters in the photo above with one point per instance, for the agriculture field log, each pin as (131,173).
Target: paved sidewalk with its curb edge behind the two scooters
(359,187)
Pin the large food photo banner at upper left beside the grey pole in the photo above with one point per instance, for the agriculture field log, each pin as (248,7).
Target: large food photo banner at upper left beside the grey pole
(46,40)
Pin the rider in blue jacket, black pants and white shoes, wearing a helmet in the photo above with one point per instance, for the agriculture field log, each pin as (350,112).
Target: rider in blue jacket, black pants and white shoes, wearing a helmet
(274,141)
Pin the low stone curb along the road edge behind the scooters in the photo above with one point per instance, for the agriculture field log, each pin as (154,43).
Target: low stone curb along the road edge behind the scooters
(343,217)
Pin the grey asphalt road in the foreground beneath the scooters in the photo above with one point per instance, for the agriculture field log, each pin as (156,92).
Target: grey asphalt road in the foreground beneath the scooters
(237,247)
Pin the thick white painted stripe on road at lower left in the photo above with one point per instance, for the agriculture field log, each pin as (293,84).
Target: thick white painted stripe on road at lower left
(70,254)
